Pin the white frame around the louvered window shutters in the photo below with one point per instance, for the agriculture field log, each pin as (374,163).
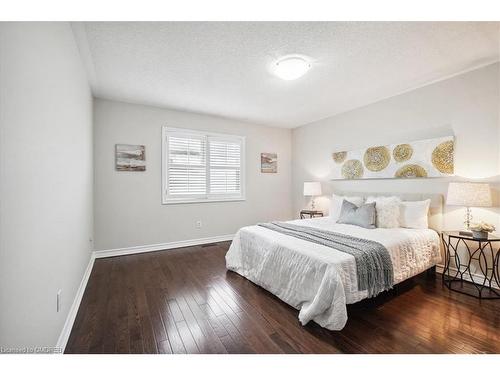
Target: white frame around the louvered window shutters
(205,198)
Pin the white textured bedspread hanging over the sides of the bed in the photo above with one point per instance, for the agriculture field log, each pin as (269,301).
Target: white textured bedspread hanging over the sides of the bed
(318,280)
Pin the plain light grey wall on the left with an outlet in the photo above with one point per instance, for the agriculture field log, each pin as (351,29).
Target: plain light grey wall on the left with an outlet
(45,180)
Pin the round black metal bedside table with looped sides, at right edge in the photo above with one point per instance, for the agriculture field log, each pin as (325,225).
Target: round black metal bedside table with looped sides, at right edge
(486,271)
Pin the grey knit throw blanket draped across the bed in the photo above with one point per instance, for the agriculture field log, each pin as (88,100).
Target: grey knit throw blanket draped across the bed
(373,262)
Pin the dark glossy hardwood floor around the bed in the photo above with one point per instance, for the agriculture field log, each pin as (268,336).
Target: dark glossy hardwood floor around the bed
(184,301)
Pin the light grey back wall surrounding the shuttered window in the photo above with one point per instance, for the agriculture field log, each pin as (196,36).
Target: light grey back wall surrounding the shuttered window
(128,209)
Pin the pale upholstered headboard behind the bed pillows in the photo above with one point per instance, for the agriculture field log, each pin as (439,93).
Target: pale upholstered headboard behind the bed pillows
(435,209)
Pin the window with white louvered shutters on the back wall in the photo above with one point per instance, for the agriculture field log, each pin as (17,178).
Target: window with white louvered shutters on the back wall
(202,167)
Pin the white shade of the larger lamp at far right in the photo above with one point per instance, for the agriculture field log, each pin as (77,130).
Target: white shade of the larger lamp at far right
(469,194)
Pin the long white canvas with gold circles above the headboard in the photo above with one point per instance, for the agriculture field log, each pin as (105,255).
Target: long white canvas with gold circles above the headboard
(419,159)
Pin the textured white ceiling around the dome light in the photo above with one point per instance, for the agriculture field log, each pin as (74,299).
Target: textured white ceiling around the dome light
(223,68)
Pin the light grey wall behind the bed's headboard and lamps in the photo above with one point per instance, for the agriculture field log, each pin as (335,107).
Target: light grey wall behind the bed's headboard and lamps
(466,106)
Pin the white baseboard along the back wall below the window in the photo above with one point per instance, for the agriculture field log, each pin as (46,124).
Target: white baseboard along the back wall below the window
(161,246)
